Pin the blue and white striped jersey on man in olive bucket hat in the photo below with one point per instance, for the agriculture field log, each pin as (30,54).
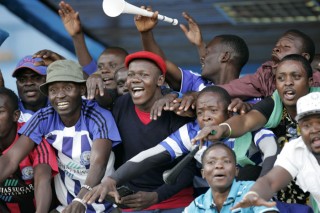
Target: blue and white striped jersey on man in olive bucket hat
(73,145)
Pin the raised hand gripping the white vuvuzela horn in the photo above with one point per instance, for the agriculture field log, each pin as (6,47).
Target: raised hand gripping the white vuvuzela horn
(145,24)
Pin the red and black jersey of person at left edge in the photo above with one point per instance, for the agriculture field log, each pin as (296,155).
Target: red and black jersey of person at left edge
(17,191)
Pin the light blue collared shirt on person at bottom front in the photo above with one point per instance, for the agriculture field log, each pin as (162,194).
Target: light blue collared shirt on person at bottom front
(205,202)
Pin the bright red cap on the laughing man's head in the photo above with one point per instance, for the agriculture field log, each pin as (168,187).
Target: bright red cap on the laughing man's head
(147,55)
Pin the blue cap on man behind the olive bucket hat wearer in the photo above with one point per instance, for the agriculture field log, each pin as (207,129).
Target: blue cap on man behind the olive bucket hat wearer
(28,62)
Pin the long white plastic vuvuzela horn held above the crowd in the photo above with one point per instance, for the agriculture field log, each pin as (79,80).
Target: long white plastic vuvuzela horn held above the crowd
(114,8)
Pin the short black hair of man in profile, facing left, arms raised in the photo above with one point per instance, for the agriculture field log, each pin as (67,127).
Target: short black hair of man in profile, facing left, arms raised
(238,45)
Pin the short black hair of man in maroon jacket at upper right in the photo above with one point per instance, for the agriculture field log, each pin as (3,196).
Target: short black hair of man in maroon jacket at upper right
(307,43)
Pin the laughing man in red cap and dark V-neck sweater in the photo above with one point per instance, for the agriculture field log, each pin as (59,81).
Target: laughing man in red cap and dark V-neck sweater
(138,133)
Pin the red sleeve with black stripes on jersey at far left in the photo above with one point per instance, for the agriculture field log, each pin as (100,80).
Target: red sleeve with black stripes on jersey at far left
(44,153)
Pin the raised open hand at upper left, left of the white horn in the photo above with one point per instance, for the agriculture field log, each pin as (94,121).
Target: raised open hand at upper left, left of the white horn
(70,19)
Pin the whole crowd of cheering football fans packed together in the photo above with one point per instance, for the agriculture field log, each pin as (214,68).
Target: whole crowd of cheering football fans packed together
(97,136)
